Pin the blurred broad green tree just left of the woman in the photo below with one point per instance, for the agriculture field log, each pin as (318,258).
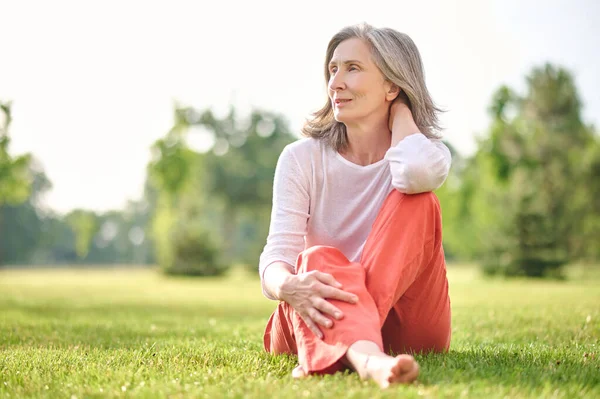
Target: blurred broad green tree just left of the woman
(224,193)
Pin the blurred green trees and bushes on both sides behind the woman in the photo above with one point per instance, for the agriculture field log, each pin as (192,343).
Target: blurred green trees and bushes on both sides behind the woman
(526,203)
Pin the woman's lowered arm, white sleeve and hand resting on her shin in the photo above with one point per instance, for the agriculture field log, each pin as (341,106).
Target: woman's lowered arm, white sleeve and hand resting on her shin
(305,292)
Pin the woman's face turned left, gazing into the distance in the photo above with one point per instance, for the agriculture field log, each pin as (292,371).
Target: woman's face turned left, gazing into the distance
(357,89)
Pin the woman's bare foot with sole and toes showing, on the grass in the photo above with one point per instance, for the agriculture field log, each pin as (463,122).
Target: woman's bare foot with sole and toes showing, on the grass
(386,370)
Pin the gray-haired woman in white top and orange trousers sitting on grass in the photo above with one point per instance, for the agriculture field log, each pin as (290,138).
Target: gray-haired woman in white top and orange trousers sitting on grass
(354,252)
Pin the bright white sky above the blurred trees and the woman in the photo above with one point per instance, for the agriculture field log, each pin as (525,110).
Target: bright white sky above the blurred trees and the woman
(93,85)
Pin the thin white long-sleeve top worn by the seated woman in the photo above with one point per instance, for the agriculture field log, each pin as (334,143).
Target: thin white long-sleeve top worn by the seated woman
(321,198)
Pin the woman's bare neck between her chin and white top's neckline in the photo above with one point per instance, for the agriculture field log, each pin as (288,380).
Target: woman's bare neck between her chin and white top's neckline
(367,143)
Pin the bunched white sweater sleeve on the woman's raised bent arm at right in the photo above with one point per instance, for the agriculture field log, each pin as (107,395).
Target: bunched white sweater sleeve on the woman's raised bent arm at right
(418,164)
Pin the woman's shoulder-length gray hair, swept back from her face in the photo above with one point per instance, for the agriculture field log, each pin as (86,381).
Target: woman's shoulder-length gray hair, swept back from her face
(398,59)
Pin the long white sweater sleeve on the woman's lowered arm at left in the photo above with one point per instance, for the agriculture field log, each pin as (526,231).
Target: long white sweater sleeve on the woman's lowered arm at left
(289,215)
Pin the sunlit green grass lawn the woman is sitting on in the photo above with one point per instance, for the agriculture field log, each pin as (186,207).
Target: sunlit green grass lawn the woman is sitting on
(125,333)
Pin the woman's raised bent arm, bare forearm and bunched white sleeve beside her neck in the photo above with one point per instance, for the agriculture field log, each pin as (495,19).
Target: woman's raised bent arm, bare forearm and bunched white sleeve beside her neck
(417,164)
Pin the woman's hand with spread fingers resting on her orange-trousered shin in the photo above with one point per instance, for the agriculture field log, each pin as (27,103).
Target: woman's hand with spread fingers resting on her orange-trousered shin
(308,292)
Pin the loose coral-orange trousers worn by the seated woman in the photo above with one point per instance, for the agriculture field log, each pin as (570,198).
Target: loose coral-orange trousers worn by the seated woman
(401,284)
